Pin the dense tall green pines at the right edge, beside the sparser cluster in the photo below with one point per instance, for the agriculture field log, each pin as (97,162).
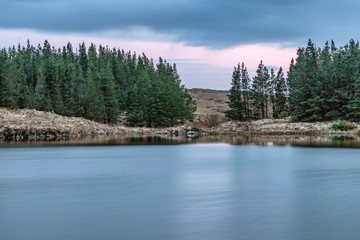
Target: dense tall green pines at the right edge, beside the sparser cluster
(325,83)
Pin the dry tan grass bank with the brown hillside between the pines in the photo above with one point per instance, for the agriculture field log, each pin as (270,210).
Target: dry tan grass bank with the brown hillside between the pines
(210,119)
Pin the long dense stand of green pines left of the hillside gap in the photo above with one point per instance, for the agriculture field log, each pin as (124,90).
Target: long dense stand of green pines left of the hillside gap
(105,85)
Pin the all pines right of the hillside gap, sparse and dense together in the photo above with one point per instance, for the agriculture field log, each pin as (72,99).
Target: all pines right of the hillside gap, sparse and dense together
(322,84)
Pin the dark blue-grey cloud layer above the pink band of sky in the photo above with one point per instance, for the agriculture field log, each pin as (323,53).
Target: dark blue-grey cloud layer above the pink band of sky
(216,24)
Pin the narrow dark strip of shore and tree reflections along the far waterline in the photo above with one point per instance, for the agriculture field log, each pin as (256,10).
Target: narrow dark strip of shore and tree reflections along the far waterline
(264,140)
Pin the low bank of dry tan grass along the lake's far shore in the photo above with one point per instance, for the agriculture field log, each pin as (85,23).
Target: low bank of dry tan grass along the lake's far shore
(25,124)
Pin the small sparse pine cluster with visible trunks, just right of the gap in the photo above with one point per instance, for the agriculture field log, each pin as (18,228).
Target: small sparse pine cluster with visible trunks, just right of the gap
(263,96)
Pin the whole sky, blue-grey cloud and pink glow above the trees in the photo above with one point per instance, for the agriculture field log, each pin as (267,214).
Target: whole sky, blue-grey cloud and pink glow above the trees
(205,38)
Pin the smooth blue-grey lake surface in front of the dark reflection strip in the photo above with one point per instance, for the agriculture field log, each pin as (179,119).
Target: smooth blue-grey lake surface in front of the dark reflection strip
(194,191)
